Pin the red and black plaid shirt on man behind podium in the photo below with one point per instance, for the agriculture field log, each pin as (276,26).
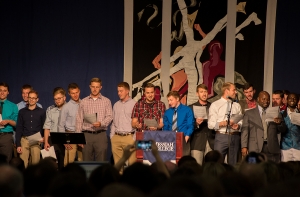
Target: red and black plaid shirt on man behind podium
(154,110)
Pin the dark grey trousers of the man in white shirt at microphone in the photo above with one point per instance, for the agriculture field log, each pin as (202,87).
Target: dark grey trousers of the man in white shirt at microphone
(230,145)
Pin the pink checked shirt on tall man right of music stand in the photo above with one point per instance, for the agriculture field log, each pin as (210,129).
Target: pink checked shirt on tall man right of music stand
(101,106)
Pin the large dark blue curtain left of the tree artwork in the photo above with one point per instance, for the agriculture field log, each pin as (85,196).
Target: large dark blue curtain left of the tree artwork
(52,43)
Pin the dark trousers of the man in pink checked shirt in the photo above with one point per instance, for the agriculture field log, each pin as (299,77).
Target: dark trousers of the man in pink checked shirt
(95,147)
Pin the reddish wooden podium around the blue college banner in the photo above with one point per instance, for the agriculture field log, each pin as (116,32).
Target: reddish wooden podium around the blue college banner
(178,141)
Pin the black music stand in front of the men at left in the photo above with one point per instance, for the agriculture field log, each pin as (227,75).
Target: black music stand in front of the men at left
(67,138)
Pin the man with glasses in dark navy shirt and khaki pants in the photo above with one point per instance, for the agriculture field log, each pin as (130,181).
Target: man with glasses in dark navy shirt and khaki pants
(30,122)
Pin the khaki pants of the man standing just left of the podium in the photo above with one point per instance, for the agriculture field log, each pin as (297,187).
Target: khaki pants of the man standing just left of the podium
(118,143)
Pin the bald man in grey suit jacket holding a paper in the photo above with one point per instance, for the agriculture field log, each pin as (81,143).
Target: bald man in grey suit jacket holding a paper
(260,136)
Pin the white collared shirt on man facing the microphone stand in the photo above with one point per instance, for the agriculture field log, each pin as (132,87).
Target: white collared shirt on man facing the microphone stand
(218,112)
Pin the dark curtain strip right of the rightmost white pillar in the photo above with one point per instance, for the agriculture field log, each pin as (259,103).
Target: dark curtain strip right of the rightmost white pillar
(287,42)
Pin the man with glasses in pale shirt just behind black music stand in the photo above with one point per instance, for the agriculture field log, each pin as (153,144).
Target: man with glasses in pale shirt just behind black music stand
(51,124)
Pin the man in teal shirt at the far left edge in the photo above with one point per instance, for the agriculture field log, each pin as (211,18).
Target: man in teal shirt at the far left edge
(9,115)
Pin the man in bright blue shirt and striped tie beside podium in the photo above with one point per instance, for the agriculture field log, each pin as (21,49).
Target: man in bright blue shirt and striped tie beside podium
(179,118)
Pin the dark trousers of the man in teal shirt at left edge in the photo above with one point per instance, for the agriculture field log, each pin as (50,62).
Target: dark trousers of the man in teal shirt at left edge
(6,145)
